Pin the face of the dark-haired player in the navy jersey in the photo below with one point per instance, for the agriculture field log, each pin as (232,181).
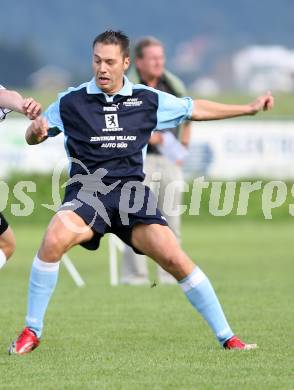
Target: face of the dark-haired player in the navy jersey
(109,66)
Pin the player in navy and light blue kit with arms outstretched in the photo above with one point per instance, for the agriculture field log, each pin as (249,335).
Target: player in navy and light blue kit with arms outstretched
(107,123)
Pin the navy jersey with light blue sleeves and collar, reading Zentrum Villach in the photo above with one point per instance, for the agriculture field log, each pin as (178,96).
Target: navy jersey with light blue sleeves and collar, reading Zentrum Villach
(112,132)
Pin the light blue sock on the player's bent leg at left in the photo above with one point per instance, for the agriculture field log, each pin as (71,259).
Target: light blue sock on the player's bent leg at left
(43,280)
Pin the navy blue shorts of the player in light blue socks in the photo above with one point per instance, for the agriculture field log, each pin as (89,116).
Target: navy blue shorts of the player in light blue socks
(115,212)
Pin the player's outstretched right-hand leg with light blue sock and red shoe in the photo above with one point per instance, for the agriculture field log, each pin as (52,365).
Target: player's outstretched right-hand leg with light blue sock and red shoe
(160,243)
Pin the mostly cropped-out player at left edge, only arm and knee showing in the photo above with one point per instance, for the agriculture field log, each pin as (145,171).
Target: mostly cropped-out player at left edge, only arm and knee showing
(13,101)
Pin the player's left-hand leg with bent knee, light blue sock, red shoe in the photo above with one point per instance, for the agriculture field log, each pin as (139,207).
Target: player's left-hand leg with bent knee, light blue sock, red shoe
(64,231)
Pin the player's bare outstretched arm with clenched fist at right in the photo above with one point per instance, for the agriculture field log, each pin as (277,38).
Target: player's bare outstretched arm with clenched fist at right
(204,110)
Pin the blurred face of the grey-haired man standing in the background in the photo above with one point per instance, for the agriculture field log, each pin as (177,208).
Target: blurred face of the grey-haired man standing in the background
(152,63)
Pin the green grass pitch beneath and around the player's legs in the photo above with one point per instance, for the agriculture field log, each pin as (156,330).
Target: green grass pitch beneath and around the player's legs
(125,337)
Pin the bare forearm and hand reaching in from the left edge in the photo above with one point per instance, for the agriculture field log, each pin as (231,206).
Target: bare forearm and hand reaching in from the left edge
(13,101)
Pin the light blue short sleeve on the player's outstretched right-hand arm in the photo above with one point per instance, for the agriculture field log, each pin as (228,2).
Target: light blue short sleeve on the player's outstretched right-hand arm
(172,111)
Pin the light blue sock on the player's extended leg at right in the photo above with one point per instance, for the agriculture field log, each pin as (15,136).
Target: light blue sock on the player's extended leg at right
(200,293)
